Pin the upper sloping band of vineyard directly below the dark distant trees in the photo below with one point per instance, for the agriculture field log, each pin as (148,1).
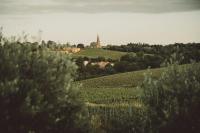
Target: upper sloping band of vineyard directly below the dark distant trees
(128,79)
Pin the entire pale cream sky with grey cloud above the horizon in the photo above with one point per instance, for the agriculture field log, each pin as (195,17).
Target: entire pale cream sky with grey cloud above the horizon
(116,21)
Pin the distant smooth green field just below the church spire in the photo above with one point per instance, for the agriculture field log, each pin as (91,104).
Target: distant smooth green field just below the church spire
(94,53)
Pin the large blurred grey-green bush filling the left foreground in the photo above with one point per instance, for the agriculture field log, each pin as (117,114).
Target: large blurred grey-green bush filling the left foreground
(36,91)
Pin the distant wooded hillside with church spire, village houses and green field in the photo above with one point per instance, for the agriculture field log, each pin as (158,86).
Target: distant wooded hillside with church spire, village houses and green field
(97,60)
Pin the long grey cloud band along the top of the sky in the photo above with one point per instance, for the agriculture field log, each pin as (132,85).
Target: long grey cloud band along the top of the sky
(96,6)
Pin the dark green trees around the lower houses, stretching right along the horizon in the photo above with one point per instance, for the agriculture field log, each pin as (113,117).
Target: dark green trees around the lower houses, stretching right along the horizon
(139,57)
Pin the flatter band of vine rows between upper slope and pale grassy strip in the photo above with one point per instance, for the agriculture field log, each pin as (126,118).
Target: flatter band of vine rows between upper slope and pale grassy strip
(110,95)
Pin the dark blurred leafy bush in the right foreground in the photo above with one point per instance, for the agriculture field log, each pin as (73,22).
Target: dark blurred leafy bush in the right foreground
(173,101)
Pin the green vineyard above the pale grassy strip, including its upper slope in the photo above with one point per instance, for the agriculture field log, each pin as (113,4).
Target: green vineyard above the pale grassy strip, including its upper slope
(115,89)
